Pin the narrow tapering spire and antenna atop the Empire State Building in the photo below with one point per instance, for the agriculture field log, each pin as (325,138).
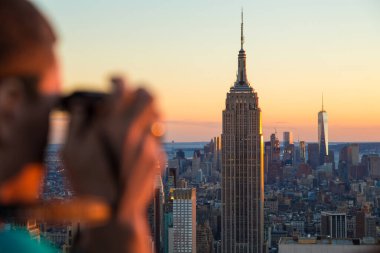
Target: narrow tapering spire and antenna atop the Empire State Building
(241,78)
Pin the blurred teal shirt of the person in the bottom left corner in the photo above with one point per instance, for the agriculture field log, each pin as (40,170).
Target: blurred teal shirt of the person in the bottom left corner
(19,241)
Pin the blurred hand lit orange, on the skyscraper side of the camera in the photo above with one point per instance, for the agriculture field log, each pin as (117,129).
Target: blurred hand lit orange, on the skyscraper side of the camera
(142,154)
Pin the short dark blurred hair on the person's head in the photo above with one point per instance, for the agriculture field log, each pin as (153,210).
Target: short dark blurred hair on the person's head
(26,39)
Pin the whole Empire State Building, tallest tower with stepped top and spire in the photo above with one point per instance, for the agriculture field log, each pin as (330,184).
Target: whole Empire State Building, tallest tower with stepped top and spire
(242,166)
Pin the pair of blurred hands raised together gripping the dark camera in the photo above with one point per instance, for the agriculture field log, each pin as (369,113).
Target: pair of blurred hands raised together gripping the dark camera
(111,151)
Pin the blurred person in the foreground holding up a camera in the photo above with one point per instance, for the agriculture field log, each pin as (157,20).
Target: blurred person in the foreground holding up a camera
(112,152)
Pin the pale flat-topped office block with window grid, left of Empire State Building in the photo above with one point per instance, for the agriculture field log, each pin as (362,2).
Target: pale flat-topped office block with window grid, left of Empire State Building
(184,221)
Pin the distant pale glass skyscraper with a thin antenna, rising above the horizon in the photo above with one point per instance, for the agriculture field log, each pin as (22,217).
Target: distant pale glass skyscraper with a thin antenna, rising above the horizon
(323,135)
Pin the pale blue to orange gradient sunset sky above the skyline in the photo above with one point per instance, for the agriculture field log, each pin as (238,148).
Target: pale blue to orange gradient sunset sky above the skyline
(186,52)
